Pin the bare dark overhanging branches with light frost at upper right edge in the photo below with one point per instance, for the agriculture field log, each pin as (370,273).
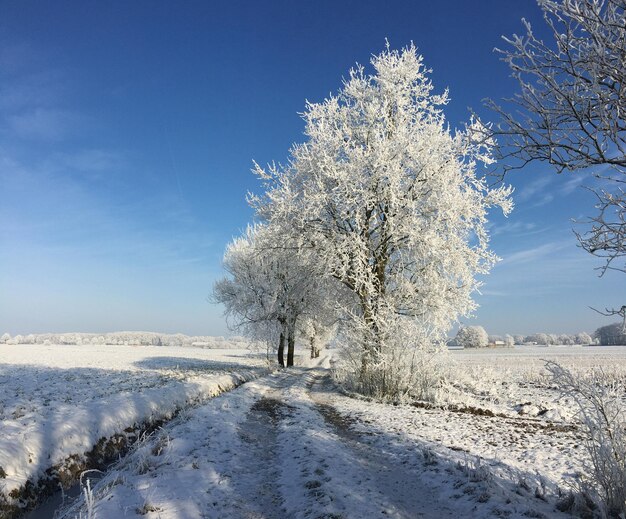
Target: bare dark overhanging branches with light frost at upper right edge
(570,110)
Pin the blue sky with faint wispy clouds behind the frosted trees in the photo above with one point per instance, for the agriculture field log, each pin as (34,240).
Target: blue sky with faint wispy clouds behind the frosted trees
(128,130)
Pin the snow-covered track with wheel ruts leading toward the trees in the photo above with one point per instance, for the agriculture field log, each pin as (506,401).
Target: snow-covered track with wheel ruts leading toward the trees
(283,446)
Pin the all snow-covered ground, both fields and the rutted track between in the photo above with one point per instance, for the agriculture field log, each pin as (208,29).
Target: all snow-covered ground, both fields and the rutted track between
(290,444)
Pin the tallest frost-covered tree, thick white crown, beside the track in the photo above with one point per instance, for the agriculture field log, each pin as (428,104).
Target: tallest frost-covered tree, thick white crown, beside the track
(391,204)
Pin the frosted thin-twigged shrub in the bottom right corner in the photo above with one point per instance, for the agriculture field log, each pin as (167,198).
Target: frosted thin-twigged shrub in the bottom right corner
(602,413)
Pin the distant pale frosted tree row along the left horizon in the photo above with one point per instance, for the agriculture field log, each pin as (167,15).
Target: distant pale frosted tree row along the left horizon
(127,338)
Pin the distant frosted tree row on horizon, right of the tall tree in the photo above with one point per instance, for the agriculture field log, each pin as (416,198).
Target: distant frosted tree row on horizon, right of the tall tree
(477,337)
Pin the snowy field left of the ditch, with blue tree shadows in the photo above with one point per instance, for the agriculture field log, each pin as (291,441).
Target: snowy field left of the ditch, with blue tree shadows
(59,401)
